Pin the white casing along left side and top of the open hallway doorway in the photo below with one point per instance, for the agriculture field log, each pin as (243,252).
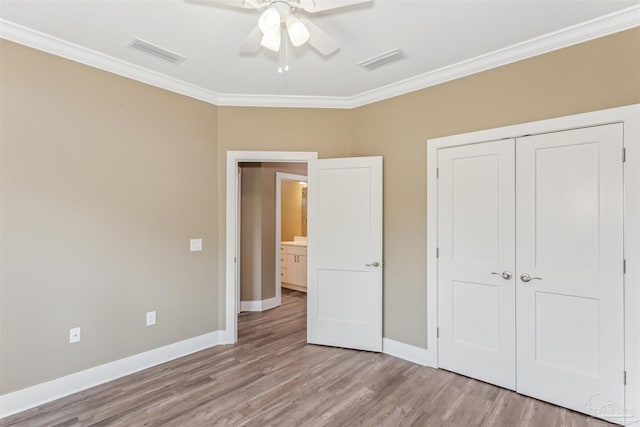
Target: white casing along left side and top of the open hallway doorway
(231,287)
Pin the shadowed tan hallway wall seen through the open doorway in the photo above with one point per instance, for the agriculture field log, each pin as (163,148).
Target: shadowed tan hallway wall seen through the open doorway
(258,233)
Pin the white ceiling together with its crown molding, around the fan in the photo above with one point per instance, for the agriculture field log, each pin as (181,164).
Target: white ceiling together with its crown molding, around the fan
(442,39)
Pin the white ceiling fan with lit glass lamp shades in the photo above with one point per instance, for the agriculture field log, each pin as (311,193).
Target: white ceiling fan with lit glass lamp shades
(279,15)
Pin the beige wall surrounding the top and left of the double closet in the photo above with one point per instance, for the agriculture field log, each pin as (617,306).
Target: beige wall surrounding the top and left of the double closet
(592,76)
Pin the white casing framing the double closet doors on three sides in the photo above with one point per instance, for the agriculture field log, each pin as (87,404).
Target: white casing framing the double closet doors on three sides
(629,116)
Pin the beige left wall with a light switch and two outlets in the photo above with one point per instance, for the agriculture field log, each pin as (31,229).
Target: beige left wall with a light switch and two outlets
(103,181)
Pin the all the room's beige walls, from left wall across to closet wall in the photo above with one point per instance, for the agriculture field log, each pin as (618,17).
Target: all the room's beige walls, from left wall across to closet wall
(103,180)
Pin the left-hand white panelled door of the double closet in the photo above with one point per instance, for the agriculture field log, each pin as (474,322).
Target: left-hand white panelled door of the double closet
(476,238)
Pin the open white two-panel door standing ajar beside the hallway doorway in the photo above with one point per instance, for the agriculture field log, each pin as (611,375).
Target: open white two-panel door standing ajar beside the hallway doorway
(344,289)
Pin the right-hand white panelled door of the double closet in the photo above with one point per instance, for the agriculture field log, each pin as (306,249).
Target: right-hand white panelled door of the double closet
(569,228)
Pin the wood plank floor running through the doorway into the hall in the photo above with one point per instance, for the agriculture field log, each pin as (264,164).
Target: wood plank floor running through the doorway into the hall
(272,378)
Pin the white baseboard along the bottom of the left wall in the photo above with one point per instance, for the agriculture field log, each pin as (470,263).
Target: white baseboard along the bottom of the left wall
(18,401)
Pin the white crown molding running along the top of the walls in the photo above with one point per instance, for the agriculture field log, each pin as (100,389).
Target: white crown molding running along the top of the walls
(589,30)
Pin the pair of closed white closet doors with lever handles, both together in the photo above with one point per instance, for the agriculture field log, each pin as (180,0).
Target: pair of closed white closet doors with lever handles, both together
(530,265)
